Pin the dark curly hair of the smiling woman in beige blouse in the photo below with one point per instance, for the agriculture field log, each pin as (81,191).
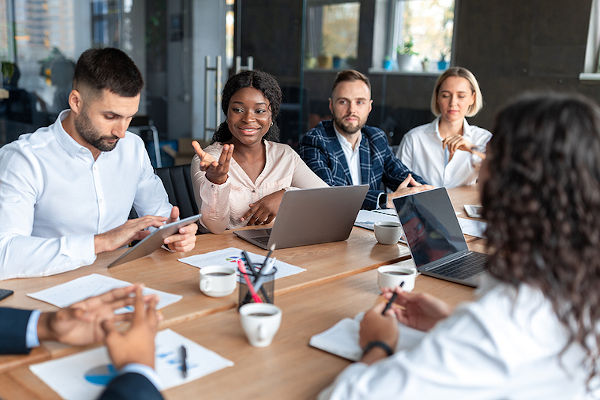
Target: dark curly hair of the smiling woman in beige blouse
(261,81)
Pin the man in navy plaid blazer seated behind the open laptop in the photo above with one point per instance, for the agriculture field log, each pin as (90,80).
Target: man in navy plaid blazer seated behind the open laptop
(347,152)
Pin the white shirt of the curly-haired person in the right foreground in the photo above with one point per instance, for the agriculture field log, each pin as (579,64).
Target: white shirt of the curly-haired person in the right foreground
(504,345)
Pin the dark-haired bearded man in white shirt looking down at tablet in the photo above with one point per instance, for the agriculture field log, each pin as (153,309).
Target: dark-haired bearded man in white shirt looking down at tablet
(66,190)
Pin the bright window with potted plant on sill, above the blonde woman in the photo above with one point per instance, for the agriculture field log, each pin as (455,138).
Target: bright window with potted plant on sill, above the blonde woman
(416,35)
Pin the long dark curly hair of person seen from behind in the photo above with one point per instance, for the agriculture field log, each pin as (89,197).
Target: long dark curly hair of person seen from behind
(542,203)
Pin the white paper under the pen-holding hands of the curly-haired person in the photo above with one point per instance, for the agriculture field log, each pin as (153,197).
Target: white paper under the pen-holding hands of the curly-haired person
(342,338)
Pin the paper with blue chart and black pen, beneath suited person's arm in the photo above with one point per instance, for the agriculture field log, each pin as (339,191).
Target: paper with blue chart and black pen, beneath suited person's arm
(84,375)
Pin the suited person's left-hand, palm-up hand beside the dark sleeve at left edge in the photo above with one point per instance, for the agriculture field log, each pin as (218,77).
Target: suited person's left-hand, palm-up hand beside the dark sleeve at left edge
(79,324)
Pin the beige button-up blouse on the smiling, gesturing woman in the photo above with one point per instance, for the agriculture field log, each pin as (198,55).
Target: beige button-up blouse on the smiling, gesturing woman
(222,206)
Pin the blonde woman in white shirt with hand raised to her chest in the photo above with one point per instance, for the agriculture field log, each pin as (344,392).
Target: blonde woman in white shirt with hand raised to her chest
(448,151)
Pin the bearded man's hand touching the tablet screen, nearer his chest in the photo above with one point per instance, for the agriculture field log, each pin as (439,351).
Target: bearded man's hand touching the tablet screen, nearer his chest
(133,229)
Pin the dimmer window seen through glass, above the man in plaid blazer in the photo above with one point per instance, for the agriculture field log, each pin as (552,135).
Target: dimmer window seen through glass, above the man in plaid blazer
(332,35)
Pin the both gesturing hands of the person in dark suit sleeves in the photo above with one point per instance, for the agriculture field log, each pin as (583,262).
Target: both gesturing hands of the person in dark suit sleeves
(93,320)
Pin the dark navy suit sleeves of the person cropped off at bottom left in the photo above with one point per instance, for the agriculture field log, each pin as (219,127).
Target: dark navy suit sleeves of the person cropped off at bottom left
(13,328)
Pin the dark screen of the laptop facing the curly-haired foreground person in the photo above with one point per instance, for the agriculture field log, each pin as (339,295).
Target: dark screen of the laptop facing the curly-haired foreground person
(430,225)
